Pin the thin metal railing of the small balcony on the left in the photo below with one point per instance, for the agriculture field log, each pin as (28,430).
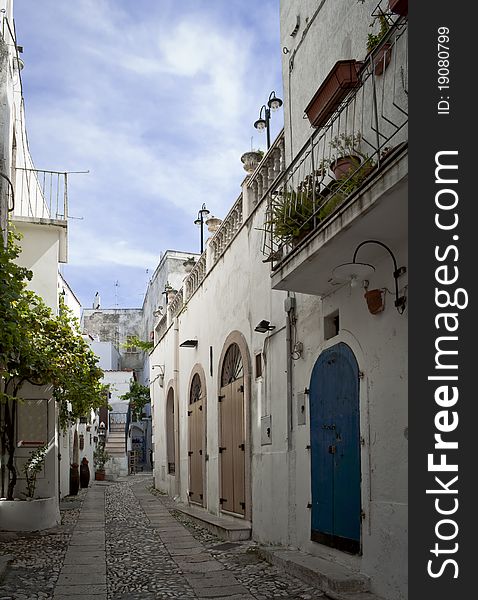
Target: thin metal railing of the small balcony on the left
(41,194)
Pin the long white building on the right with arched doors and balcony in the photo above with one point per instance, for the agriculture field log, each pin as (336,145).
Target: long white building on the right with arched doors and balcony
(279,384)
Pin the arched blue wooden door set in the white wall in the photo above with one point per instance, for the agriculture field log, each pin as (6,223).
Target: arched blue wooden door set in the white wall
(335,449)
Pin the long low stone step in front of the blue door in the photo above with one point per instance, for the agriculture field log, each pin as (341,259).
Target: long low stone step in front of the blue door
(336,581)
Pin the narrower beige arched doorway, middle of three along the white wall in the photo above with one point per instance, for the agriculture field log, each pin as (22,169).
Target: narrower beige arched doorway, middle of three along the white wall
(196,439)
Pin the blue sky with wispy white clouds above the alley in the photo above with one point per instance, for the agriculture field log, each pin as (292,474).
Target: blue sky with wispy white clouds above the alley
(157,99)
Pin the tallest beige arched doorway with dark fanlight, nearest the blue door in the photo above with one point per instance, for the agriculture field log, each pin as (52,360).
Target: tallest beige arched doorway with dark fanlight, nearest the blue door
(232,432)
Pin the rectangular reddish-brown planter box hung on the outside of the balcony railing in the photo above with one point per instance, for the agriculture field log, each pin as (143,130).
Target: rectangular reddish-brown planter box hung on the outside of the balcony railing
(334,88)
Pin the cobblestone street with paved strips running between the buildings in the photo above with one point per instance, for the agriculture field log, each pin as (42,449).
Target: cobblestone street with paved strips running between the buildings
(124,541)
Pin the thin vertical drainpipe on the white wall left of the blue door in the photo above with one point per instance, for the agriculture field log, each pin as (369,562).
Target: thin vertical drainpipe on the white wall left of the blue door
(289,307)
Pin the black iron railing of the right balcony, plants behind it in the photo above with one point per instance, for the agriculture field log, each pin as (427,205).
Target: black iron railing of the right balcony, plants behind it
(369,125)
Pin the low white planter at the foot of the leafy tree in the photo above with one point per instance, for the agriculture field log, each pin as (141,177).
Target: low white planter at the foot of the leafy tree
(29,515)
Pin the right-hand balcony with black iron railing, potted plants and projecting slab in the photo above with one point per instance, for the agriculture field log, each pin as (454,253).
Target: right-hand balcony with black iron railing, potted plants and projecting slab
(348,182)
